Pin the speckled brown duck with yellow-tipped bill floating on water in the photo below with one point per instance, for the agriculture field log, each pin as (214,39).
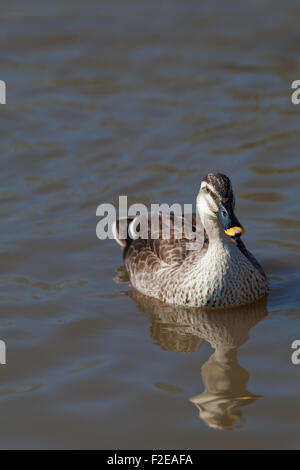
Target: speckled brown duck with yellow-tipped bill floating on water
(202,262)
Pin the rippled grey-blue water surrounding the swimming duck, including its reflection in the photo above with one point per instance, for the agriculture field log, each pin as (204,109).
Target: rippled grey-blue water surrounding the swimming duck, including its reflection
(144,98)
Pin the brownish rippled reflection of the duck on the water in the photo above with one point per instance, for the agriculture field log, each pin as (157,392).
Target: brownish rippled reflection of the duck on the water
(184,330)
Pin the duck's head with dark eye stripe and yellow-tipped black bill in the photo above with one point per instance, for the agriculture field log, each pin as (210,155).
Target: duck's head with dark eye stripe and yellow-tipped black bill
(216,201)
